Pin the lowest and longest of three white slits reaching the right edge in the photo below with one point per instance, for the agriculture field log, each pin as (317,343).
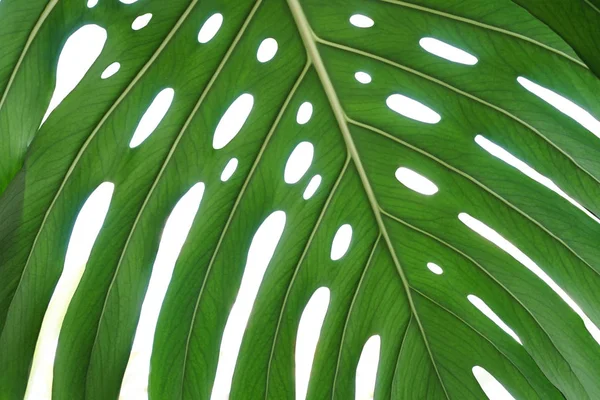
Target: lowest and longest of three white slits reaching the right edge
(497,239)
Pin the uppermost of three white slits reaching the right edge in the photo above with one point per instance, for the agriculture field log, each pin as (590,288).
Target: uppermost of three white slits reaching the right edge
(563,104)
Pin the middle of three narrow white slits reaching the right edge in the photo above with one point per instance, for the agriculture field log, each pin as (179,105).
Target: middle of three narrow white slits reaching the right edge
(513,161)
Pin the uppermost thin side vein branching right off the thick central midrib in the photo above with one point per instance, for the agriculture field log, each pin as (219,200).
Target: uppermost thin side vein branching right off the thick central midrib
(460,92)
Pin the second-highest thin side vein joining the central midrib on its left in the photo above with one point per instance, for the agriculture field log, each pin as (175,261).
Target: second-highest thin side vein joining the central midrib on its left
(297,268)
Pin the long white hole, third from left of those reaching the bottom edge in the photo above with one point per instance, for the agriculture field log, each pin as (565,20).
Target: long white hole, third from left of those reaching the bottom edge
(260,254)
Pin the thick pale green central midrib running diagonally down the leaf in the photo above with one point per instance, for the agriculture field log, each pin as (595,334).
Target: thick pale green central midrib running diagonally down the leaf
(310,43)
